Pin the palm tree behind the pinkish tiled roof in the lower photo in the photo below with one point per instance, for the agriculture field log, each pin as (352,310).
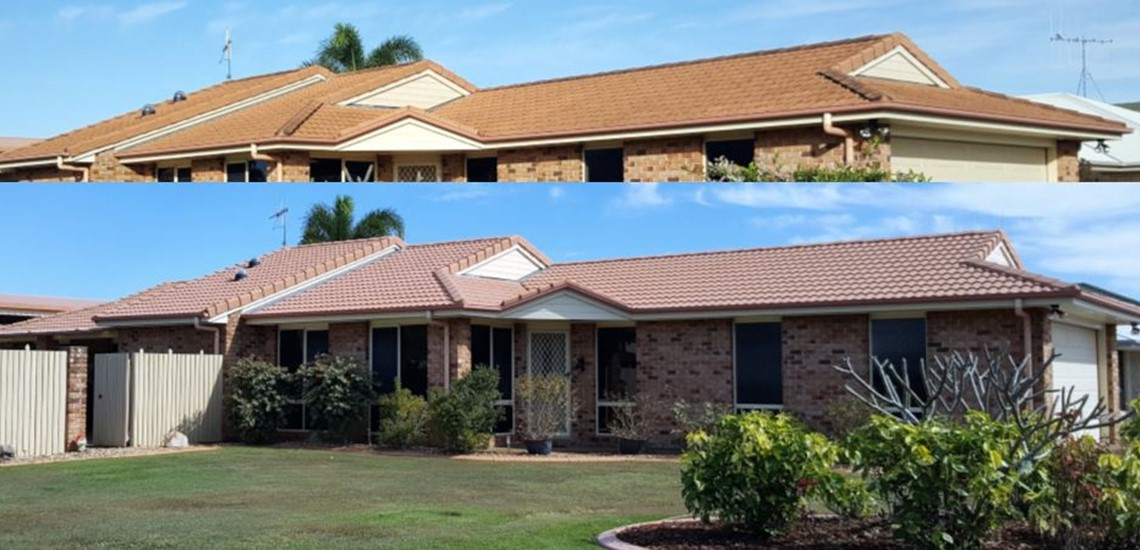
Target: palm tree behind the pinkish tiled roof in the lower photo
(325,224)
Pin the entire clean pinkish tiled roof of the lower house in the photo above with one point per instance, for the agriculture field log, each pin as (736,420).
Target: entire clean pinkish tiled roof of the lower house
(387,277)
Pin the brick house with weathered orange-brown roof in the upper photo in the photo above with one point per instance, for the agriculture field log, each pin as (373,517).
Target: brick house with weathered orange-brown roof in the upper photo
(804,107)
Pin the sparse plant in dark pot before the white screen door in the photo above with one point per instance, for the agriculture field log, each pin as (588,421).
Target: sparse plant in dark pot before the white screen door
(545,410)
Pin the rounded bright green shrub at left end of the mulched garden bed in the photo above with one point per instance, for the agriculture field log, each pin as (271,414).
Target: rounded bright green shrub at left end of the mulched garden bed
(755,472)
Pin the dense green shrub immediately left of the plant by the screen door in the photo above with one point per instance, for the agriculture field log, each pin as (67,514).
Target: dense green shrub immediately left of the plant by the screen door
(463,419)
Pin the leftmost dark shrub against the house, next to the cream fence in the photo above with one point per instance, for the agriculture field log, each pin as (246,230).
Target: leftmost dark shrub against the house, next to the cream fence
(255,401)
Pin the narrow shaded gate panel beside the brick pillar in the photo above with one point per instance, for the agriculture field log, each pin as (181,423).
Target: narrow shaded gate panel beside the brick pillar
(111,409)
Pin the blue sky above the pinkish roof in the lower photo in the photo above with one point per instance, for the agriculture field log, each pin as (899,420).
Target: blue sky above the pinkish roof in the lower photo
(108,241)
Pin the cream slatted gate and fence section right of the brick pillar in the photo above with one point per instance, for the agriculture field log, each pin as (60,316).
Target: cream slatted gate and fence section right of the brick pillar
(142,398)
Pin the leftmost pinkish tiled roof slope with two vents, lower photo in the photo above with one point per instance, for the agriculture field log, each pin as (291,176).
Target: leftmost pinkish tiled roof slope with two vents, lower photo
(221,293)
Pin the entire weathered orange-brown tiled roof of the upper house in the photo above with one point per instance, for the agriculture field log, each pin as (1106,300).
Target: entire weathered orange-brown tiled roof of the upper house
(784,84)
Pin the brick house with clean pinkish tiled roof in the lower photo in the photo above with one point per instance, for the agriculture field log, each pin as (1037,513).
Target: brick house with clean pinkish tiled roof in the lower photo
(755,329)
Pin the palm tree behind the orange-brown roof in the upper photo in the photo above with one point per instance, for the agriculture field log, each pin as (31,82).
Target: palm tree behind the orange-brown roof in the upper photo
(344,52)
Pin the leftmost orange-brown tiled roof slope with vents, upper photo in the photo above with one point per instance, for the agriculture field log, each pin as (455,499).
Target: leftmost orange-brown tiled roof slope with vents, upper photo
(133,125)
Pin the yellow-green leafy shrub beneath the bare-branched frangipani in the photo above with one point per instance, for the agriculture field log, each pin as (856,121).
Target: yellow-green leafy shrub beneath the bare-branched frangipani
(946,484)
